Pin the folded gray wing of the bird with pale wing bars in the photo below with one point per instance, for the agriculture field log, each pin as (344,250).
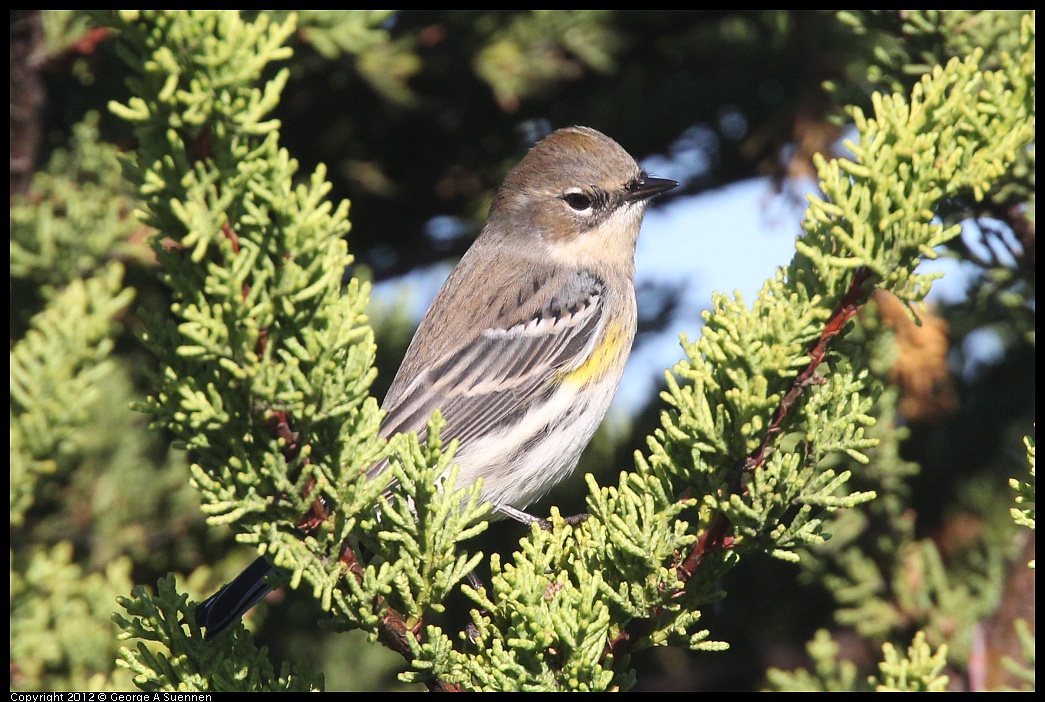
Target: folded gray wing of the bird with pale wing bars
(496,376)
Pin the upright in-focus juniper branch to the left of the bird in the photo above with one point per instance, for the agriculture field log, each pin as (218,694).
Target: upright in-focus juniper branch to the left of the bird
(266,373)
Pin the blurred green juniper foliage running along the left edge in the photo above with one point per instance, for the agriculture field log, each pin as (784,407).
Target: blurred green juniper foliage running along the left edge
(65,389)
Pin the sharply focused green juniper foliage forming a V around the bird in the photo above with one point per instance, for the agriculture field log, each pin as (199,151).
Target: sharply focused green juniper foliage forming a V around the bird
(256,268)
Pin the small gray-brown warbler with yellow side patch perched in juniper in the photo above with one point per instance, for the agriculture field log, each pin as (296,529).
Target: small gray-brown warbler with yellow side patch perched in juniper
(524,346)
